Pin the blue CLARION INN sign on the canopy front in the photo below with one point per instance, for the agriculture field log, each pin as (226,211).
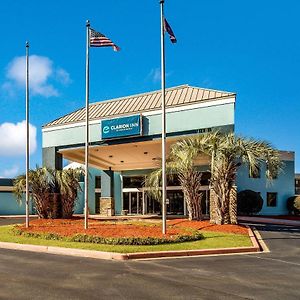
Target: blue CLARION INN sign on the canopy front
(121,127)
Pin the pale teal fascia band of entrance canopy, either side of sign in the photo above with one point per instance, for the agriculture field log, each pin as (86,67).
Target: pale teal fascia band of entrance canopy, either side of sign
(191,119)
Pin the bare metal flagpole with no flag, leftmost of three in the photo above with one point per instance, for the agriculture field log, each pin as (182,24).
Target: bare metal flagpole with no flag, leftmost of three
(27,137)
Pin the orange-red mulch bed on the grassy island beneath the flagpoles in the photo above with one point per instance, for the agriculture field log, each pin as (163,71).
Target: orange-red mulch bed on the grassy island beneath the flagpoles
(70,227)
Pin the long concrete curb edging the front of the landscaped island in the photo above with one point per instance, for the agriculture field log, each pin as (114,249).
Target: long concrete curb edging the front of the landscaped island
(126,256)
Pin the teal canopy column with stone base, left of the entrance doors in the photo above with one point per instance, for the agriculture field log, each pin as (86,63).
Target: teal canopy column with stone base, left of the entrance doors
(107,203)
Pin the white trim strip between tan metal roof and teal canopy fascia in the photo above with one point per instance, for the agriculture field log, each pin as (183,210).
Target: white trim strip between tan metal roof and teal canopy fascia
(208,103)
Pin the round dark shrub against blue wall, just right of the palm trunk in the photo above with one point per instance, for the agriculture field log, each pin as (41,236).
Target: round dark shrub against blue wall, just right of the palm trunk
(249,202)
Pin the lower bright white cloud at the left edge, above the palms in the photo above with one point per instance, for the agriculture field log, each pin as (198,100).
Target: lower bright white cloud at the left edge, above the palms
(13,139)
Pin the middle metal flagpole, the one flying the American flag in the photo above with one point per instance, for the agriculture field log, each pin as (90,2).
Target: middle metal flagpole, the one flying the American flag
(86,177)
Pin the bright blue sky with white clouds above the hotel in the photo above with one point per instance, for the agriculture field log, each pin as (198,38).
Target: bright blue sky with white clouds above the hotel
(248,47)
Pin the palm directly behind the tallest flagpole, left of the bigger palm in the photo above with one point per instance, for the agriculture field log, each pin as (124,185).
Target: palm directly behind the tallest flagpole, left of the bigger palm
(181,163)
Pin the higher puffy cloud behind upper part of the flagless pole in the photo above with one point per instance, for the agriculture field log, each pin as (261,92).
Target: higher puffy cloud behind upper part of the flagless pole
(41,71)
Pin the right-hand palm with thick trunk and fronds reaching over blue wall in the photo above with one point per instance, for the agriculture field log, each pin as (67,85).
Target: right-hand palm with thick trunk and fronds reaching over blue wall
(227,152)
